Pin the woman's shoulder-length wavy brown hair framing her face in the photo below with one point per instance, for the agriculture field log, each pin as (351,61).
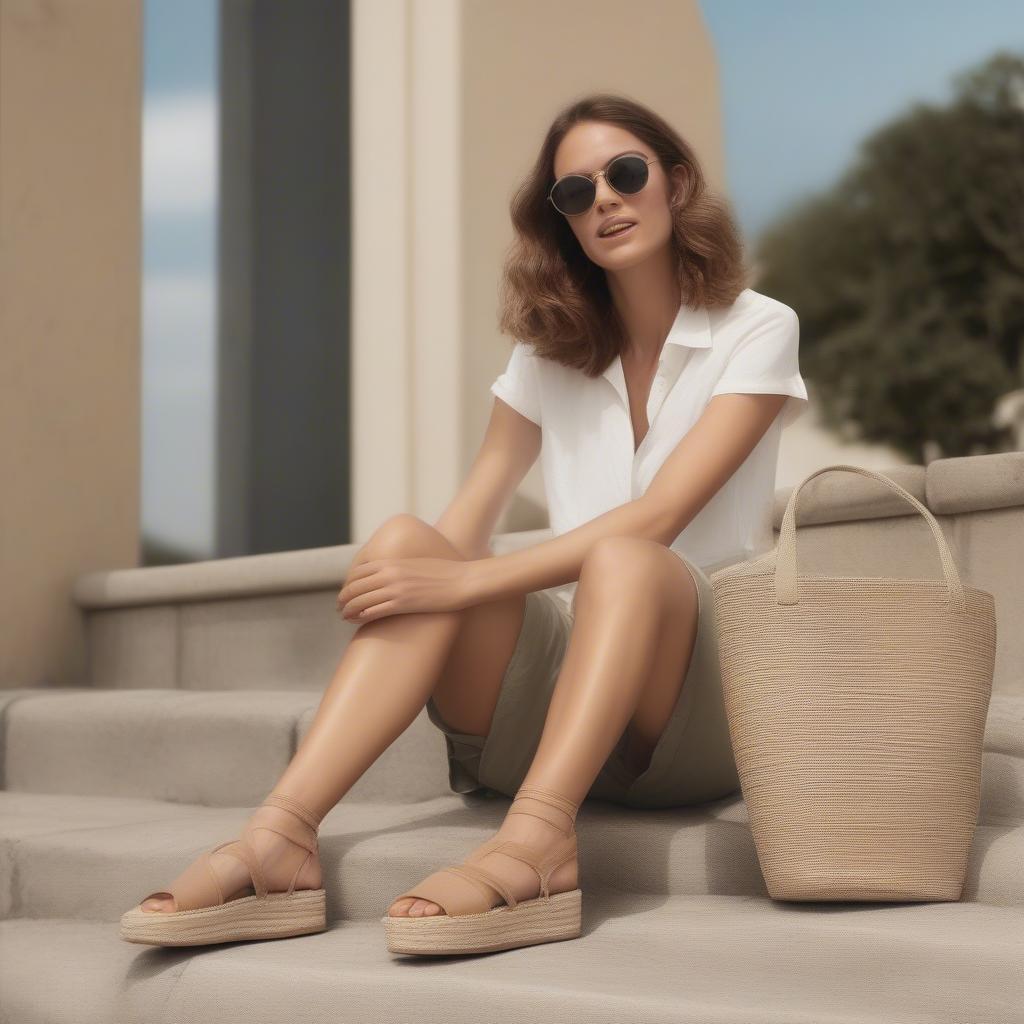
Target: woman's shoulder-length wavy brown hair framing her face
(554,297)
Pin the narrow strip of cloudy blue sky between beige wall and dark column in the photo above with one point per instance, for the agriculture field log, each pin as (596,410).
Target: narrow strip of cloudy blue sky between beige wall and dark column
(180,289)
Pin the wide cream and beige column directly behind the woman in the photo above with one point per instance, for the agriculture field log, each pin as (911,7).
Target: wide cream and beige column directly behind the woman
(451,102)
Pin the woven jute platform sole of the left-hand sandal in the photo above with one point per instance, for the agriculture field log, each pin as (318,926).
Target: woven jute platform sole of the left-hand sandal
(277,916)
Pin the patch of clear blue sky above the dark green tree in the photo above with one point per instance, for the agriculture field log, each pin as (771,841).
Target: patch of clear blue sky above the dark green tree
(803,81)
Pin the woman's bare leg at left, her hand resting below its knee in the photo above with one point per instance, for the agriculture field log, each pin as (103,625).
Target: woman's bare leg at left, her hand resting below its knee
(388,673)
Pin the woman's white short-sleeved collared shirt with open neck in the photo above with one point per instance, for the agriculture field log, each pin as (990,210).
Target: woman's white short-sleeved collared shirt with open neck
(587,456)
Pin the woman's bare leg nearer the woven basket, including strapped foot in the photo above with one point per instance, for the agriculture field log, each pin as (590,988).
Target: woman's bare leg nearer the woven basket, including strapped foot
(631,645)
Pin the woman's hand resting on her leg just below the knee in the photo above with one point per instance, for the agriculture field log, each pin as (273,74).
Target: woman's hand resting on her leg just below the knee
(382,587)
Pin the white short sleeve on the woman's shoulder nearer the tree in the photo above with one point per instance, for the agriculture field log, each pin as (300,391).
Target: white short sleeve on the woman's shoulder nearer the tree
(766,362)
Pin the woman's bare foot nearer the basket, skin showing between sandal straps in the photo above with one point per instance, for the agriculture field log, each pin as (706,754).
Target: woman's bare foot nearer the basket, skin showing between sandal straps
(521,878)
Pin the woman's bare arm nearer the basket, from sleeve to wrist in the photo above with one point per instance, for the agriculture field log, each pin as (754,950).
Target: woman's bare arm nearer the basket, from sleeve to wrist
(710,453)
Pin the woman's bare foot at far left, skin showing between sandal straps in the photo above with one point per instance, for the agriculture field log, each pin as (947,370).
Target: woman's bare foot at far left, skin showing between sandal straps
(278,856)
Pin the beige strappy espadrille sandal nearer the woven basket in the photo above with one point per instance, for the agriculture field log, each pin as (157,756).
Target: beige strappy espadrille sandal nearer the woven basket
(471,924)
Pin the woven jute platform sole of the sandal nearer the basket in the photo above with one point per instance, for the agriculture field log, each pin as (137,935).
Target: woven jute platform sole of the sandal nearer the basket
(534,921)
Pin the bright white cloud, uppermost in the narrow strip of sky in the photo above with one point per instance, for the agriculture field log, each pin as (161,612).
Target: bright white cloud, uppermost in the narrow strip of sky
(180,154)
